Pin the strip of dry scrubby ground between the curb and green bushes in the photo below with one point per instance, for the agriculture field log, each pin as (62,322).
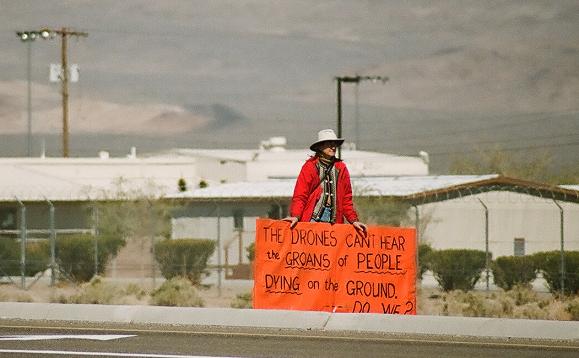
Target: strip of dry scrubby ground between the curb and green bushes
(519,303)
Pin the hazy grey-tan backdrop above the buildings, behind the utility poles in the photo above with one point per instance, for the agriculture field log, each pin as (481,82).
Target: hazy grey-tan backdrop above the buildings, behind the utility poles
(244,70)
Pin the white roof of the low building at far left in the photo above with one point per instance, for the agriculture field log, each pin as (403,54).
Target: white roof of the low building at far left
(80,179)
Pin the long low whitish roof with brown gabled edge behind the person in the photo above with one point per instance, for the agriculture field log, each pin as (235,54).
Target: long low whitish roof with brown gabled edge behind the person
(416,189)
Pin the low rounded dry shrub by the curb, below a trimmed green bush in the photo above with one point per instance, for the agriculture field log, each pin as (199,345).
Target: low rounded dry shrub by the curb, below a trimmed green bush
(177,291)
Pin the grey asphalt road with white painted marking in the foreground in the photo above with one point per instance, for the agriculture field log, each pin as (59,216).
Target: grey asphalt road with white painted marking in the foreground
(25,339)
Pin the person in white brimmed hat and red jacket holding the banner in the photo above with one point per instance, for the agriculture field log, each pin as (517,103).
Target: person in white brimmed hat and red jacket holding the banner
(323,191)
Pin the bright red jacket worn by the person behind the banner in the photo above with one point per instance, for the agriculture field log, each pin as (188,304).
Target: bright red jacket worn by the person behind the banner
(308,191)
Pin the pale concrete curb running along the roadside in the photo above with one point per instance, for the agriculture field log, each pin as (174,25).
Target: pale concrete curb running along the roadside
(304,320)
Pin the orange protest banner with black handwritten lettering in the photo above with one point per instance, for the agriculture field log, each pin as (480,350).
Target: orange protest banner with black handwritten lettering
(323,267)
